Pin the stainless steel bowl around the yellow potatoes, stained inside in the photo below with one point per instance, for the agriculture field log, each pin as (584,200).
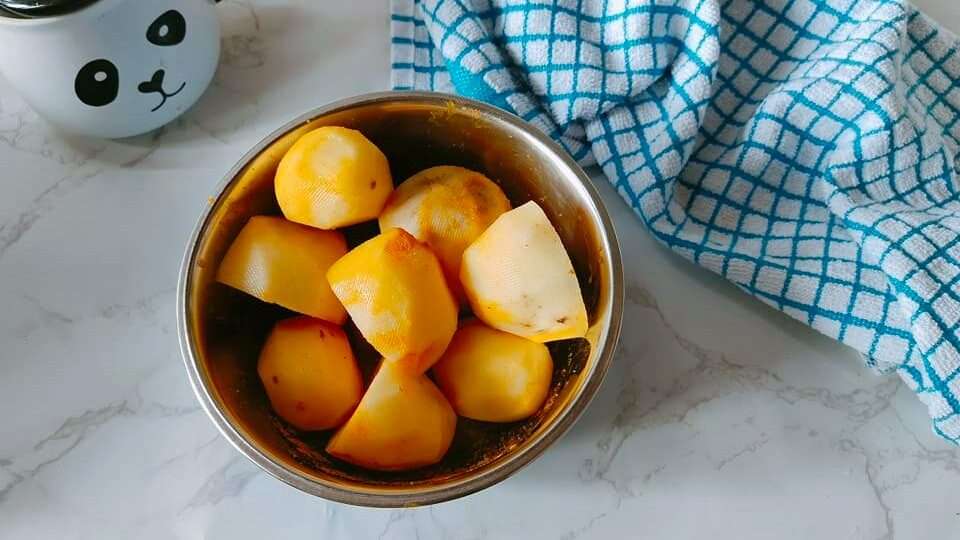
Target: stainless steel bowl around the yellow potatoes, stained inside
(221,330)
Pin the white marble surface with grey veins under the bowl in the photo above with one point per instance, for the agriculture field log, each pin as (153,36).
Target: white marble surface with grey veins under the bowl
(720,419)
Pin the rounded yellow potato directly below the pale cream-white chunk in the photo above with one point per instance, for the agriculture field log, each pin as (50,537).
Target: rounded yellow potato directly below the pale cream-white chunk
(494,376)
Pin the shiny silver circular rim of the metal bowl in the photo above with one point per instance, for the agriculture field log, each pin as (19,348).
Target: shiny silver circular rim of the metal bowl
(419,495)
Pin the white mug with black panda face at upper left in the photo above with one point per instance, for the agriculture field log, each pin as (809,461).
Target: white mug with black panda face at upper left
(109,68)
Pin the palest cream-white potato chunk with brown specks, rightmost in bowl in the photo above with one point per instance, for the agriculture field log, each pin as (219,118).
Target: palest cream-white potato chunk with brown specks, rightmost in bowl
(518,278)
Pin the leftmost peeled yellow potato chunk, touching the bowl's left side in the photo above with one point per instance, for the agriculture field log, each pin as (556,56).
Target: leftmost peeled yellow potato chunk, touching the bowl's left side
(285,263)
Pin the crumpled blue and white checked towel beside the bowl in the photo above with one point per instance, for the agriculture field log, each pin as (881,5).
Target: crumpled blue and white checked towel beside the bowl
(805,150)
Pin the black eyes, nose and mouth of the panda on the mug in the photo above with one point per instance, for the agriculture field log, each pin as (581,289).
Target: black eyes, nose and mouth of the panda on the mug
(98,82)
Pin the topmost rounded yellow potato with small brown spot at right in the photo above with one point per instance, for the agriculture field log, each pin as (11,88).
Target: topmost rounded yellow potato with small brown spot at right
(332,177)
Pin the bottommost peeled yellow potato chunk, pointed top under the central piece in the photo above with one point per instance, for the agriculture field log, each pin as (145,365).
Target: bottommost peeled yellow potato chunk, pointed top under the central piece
(402,422)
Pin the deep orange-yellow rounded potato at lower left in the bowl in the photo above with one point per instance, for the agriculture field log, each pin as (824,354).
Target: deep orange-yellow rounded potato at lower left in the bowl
(310,374)
